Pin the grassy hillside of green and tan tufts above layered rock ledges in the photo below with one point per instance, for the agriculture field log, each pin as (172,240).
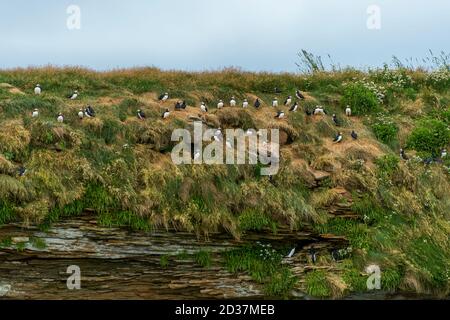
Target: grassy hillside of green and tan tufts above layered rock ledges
(394,213)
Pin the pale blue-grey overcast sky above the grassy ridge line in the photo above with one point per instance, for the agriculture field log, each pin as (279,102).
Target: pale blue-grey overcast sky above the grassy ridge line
(211,34)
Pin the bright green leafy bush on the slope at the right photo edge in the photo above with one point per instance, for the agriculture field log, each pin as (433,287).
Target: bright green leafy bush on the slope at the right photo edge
(429,136)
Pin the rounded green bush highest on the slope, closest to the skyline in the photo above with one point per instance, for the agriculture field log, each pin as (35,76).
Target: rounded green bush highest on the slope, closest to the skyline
(360,99)
